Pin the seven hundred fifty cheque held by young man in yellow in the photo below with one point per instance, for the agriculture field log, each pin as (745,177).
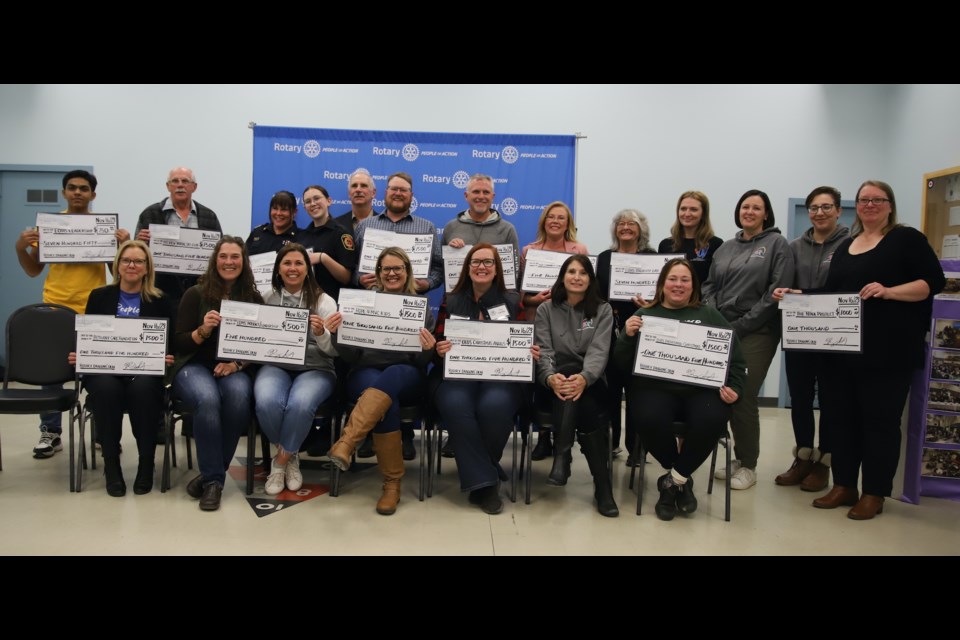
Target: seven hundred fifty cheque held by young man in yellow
(77,237)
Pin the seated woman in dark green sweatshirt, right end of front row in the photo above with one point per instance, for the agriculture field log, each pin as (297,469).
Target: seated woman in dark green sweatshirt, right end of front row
(655,404)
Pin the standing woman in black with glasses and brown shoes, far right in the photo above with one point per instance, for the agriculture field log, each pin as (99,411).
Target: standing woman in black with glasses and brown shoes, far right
(896,274)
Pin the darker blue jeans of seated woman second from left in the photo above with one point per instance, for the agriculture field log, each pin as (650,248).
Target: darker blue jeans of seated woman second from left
(221,415)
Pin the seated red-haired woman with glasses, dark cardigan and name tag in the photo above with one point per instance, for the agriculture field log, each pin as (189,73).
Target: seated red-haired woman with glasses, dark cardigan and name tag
(479,414)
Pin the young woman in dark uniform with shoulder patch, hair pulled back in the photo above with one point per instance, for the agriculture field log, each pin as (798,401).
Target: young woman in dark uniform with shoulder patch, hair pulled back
(333,257)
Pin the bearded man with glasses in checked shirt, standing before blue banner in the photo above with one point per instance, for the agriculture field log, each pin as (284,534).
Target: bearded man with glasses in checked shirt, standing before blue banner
(397,218)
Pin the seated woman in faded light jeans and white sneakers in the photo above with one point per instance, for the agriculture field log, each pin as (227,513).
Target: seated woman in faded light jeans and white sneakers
(287,397)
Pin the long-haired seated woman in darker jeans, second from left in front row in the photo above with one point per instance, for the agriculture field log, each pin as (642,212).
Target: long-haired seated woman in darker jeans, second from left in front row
(219,392)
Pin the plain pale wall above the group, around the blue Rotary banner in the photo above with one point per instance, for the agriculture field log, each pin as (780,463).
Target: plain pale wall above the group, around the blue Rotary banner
(645,144)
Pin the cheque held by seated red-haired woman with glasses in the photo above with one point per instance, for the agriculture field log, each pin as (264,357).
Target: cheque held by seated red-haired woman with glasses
(488,351)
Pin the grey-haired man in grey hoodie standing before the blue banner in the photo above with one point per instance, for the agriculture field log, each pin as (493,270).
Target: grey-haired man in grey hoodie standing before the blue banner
(479,223)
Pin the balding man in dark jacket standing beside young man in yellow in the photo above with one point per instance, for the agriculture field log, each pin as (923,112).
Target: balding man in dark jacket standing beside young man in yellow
(179,210)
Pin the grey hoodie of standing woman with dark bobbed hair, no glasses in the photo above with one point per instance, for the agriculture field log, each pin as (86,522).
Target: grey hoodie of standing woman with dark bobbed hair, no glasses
(743,276)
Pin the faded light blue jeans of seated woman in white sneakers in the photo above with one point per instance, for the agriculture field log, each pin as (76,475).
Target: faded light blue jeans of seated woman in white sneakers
(286,402)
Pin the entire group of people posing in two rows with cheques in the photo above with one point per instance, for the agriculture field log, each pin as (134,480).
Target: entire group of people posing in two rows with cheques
(584,344)
